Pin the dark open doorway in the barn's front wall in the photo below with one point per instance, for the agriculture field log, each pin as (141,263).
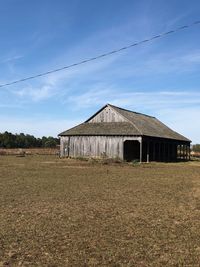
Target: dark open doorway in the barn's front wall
(131,150)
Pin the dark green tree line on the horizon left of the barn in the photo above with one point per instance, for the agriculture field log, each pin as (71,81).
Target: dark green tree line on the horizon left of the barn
(9,140)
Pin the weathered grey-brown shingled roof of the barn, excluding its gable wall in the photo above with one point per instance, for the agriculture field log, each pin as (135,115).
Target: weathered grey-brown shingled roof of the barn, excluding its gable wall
(136,124)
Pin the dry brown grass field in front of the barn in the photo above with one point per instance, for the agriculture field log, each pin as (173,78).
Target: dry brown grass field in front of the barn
(59,212)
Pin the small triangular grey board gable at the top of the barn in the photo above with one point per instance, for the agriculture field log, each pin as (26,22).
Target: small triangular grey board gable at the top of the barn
(107,115)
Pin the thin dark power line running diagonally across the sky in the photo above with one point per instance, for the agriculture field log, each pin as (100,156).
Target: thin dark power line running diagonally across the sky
(102,55)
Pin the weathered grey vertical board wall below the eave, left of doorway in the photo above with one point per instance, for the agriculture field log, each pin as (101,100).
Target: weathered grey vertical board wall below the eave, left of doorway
(94,146)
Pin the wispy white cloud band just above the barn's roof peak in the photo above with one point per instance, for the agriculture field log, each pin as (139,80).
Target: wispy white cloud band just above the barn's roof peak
(150,99)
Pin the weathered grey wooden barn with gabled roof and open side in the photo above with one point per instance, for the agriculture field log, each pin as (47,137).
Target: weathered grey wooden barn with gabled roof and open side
(115,132)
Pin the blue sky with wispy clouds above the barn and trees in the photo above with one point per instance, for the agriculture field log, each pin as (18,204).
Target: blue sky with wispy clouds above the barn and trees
(160,78)
